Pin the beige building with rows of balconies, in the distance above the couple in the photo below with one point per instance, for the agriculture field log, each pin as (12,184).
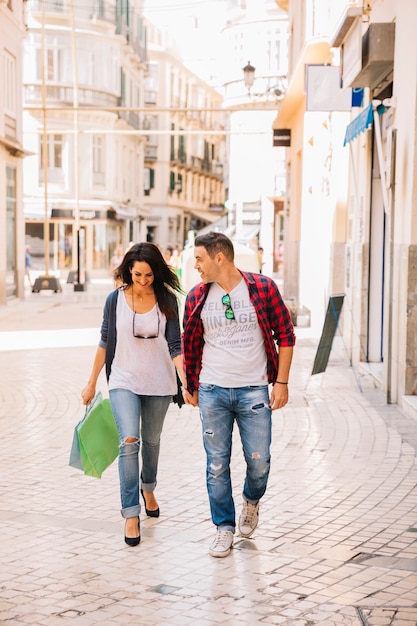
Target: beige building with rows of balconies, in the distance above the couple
(185,147)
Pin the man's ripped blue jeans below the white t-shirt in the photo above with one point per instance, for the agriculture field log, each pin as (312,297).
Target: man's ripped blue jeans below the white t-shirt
(219,408)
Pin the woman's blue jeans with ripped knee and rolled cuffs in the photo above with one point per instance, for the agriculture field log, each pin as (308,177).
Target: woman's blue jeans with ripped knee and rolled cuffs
(139,419)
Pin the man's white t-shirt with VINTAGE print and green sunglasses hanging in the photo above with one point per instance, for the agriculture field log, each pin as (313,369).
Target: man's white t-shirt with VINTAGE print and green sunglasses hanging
(234,351)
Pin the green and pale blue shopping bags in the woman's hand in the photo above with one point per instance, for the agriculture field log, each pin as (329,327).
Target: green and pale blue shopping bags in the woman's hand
(97,437)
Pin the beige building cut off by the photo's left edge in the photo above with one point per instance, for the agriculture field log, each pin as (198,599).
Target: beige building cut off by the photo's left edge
(12,250)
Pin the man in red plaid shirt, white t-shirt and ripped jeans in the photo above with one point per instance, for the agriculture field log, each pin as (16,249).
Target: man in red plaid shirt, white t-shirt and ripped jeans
(231,321)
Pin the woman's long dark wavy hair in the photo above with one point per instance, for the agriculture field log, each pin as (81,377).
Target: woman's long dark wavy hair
(166,281)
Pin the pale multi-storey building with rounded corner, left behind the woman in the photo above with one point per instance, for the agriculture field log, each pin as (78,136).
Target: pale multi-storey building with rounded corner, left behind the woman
(84,110)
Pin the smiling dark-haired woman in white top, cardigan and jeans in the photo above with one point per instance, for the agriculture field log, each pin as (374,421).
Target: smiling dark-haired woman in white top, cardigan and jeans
(140,344)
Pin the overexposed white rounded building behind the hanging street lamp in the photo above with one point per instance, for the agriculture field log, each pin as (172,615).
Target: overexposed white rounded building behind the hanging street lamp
(256,32)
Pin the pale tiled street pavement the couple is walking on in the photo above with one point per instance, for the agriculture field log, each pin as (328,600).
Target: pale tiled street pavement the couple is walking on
(337,538)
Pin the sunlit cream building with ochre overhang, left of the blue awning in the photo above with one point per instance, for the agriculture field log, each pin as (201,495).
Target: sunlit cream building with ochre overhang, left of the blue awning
(316,165)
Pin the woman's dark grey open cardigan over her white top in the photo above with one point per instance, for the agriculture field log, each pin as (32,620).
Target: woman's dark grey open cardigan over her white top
(108,331)
